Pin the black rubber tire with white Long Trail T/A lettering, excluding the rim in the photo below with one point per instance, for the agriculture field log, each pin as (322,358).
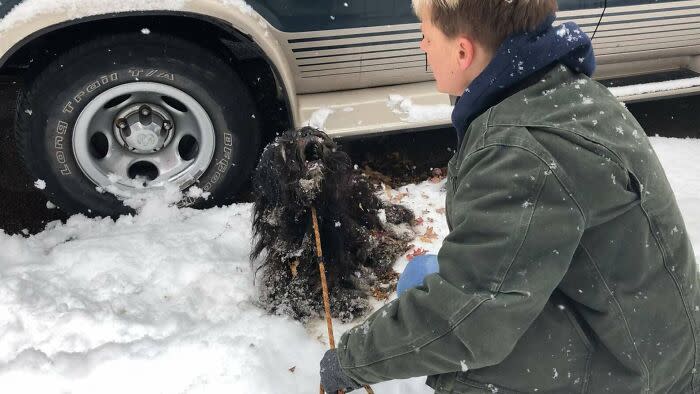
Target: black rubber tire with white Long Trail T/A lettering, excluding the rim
(216,87)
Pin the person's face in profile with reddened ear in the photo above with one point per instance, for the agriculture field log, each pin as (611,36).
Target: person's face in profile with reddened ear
(452,60)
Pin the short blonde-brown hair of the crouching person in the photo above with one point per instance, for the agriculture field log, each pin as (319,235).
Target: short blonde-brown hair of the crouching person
(487,21)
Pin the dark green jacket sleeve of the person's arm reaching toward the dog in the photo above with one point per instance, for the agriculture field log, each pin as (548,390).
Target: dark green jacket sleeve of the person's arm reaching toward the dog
(514,233)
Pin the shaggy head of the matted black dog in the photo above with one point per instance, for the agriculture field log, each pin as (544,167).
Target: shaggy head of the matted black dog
(299,167)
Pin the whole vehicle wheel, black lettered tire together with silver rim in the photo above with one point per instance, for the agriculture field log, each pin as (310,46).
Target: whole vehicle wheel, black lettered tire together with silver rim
(126,113)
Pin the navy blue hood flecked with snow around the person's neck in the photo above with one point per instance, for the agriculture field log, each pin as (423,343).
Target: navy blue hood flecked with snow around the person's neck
(518,58)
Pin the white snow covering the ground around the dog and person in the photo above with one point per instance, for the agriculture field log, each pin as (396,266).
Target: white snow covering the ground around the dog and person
(164,302)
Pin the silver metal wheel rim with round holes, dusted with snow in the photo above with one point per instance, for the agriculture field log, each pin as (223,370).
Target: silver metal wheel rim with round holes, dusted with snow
(143,135)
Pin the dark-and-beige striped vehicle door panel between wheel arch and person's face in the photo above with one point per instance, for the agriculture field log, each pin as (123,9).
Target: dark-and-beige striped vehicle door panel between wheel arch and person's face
(346,44)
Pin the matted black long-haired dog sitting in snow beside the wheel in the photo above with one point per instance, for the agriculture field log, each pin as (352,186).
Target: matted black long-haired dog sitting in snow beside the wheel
(304,168)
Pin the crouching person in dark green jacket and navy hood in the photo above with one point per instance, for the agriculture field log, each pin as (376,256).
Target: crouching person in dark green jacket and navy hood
(568,268)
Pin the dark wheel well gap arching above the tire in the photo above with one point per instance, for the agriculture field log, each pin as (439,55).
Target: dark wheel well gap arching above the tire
(236,49)
